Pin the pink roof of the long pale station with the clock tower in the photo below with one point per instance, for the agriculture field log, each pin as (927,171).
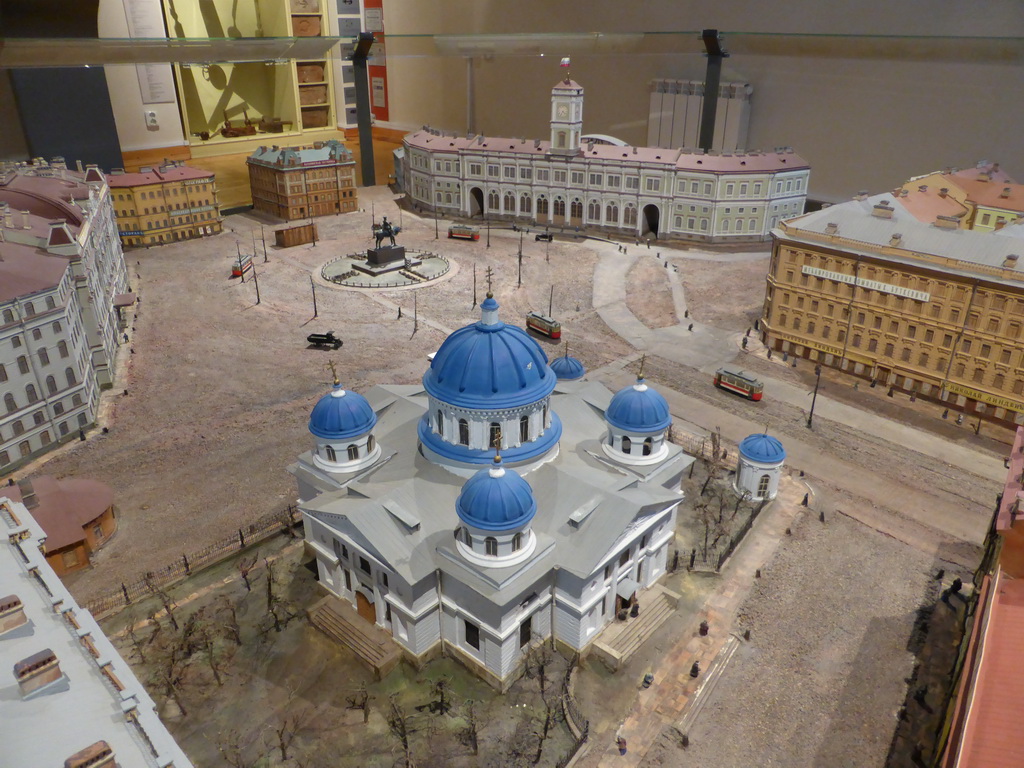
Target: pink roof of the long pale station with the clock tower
(732,163)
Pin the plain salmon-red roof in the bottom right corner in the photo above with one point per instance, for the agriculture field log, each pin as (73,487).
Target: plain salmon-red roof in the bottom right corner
(992,736)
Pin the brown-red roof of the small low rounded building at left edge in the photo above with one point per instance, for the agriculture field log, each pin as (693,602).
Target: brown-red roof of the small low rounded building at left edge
(66,507)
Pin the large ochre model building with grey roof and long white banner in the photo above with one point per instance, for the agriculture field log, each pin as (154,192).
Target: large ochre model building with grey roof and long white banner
(926,309)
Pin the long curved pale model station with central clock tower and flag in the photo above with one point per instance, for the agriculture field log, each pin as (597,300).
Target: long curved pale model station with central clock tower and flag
(599,183)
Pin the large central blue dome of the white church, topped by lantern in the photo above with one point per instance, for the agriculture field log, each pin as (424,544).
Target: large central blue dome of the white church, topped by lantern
(489,366)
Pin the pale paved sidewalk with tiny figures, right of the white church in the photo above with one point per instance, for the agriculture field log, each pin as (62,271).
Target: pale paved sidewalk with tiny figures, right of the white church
(674,692)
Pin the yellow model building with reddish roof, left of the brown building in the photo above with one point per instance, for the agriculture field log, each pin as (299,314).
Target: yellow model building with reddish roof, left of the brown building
(164,205)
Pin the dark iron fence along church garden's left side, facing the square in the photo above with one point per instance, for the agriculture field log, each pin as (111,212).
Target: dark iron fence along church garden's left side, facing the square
(189,564)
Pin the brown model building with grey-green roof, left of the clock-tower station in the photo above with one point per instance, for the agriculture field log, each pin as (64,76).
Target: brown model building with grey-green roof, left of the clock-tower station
(296,183)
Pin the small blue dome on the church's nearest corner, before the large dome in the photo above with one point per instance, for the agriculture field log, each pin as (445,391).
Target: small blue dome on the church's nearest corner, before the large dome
(496,499)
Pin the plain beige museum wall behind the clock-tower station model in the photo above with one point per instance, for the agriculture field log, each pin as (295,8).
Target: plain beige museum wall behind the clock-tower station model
(867,115)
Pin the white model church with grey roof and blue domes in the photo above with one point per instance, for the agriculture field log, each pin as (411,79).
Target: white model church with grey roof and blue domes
(501,502)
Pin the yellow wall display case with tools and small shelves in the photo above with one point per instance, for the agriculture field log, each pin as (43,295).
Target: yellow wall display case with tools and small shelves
(225,103)
